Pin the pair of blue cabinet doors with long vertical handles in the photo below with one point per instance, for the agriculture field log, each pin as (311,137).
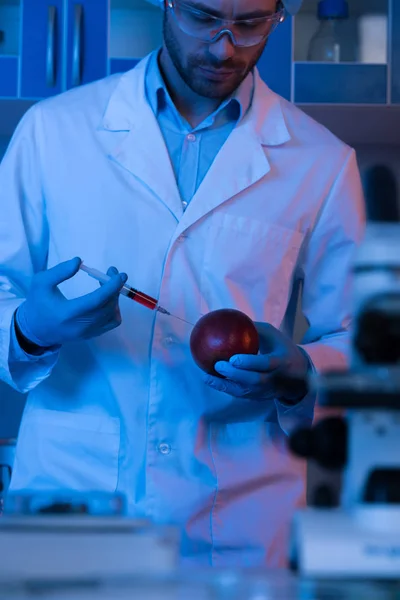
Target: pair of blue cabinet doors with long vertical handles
(63,45)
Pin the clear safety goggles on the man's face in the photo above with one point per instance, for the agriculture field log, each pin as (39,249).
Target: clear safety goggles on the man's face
(209,28)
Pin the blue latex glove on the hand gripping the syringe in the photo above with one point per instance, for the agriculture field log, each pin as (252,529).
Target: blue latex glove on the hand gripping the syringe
(48,319)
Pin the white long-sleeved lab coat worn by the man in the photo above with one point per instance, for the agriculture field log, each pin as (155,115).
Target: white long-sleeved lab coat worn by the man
(87,174)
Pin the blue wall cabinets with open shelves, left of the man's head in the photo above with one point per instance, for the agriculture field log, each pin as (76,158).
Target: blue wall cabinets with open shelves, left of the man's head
(49,46)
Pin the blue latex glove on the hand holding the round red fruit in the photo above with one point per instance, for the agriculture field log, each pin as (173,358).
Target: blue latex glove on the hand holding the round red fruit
(249,376)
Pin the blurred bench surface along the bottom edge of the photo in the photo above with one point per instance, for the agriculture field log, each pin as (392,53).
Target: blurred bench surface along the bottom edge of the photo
(206,585)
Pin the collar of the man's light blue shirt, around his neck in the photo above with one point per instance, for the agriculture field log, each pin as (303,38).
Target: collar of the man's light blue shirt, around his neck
(233,108)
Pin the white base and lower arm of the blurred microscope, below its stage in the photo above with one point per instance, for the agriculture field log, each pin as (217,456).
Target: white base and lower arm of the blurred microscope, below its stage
(361,537)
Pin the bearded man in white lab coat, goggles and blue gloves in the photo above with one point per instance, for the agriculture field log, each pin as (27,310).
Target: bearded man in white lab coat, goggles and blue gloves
(210,191)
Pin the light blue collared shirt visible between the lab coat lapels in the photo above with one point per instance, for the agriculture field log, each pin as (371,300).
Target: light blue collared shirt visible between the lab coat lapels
(193,150)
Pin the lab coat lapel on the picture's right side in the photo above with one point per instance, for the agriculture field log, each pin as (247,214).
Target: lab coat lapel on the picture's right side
(242,161)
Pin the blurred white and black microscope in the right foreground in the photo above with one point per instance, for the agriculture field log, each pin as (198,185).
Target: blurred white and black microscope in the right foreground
(360,538)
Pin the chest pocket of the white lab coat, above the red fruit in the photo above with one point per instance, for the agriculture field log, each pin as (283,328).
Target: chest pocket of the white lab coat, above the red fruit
(249,264)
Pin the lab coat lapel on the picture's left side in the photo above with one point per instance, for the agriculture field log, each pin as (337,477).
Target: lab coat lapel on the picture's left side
(143,151)
